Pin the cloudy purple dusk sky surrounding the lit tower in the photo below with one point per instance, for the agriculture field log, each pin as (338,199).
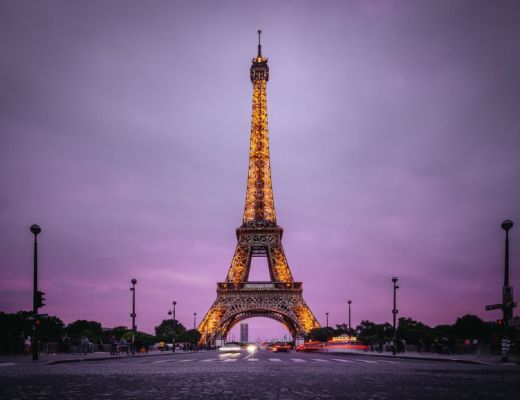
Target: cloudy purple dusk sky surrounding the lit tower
(124,133)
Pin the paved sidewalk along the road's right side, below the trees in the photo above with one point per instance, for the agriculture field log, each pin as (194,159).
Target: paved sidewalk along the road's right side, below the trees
(486,359)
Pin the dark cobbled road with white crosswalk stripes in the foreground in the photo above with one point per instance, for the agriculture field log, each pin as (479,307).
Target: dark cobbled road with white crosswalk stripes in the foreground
(261,375)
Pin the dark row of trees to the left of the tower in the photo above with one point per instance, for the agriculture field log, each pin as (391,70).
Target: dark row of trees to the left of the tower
(15,328)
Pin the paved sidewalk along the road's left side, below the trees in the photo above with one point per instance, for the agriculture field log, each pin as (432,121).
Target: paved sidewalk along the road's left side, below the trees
(62,358)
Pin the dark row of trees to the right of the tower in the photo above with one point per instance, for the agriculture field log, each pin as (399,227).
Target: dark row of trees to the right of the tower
(467,329)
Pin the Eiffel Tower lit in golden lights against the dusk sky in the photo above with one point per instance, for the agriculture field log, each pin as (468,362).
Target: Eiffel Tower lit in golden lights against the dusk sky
(259,236)
